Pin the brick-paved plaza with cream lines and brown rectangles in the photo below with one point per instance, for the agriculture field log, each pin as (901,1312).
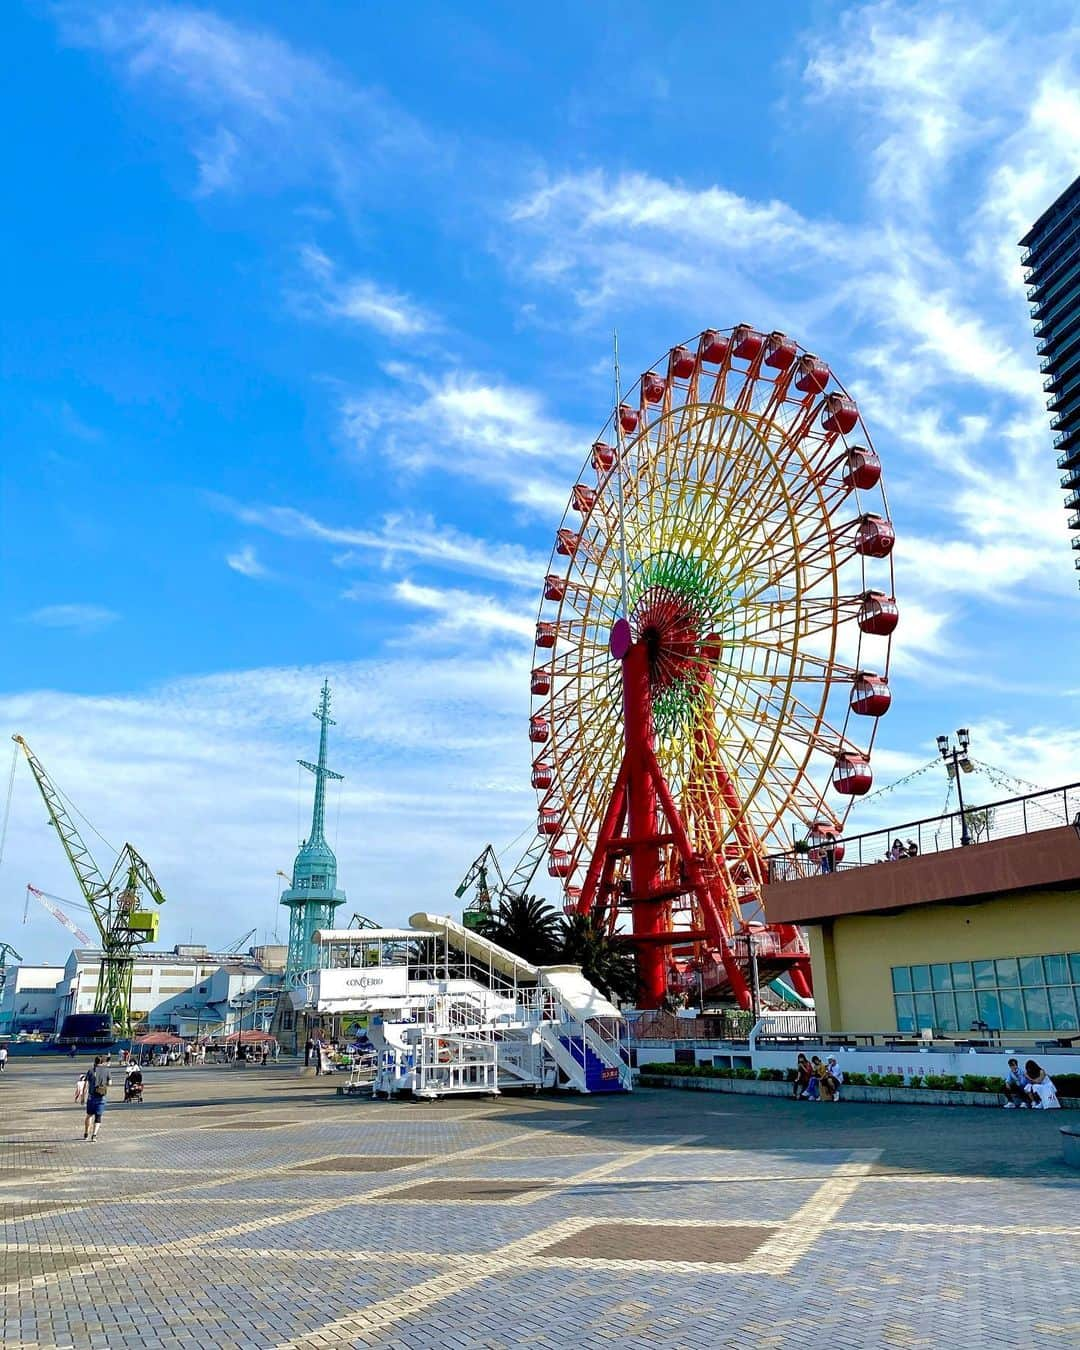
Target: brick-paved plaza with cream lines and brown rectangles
(254,1208)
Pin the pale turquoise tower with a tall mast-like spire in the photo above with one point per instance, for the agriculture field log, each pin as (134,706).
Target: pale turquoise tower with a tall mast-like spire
(314,897)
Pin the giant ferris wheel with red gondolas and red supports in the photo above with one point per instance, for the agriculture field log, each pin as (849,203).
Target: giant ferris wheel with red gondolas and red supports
(713,642)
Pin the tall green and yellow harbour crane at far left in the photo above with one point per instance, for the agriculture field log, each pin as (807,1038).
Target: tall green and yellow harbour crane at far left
(122,923)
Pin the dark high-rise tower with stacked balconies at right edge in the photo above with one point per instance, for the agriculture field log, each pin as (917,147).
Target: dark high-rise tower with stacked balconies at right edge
(1052,271)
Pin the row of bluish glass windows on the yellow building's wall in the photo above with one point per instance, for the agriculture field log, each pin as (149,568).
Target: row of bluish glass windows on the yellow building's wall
(1008,994)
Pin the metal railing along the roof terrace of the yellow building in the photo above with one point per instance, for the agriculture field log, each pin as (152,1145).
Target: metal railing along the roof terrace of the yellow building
(940,834)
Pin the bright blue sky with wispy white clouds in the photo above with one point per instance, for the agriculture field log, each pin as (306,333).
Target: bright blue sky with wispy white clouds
(310,315)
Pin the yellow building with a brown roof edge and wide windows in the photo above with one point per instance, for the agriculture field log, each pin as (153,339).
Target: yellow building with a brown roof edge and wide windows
(982,938)
